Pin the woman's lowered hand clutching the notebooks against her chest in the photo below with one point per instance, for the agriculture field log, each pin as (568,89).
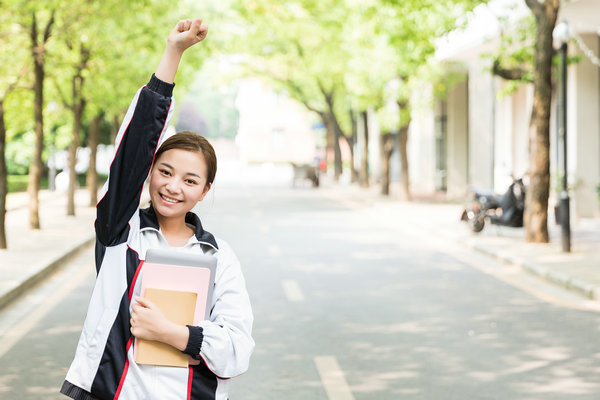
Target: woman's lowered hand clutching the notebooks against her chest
(149,323)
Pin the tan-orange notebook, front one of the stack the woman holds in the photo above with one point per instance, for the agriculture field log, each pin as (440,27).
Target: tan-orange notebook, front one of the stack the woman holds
(178,307)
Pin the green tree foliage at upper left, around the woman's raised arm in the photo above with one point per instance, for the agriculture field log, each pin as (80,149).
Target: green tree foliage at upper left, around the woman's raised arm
(124,41)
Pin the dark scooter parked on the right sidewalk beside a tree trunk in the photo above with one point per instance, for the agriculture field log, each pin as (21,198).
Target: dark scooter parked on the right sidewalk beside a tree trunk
(500,209)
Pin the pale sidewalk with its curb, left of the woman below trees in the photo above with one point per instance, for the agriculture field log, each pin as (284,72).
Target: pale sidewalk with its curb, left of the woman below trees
(32,255)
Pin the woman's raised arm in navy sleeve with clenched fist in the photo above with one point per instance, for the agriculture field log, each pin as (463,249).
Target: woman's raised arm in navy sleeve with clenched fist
(139,137)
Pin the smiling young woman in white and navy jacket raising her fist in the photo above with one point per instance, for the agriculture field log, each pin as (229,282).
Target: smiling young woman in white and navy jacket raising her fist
(181,171)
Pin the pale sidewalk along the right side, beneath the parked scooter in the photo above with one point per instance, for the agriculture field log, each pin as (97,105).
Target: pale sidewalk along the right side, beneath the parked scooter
(578,271)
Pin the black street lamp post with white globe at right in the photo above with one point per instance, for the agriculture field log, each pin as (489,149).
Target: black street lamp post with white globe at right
(562,34)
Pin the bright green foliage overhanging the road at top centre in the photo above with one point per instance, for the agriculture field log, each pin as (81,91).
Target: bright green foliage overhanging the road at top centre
(350,48)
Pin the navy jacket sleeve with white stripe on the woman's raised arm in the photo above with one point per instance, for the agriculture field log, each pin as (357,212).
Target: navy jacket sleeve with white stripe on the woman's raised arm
(137,141)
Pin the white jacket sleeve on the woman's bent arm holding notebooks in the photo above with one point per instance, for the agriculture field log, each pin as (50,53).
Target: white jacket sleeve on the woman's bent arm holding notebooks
(227,343)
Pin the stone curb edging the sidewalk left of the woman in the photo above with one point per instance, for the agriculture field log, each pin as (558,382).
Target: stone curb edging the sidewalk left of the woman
(44,271)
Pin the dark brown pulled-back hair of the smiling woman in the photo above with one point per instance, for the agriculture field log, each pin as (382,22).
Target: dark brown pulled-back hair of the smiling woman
(191,141)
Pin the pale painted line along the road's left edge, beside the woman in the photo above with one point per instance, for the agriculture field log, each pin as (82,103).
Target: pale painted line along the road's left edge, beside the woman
(19,330)
